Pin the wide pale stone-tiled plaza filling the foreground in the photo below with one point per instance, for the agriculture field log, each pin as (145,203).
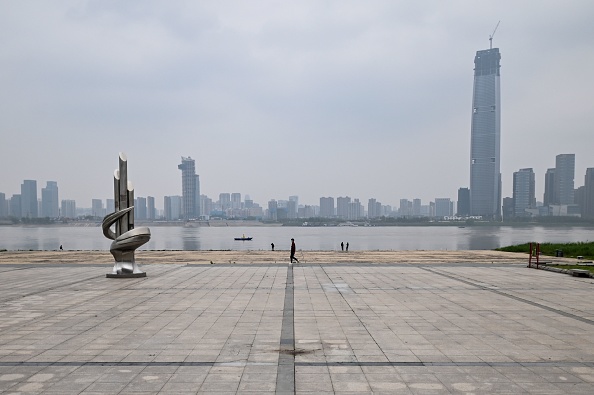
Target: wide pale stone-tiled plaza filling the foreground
(303,328)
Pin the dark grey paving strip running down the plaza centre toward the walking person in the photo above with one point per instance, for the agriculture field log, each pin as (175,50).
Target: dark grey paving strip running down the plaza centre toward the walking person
(285,379)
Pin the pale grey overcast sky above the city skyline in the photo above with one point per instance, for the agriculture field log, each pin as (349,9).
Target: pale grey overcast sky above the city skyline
(276,98)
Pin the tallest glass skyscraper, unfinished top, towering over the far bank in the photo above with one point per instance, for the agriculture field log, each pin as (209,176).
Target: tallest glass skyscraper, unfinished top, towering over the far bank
(485,174)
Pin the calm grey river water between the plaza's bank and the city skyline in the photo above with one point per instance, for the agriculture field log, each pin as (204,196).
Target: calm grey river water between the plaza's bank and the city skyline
(306,238)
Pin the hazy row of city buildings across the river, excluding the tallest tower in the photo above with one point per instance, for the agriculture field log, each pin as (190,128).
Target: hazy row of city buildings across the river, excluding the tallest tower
(561,179)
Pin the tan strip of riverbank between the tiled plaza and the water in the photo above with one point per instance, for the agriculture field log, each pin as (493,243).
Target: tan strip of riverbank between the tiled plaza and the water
(258,256)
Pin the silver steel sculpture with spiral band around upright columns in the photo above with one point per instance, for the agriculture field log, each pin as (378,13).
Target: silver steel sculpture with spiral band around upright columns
(126,239)
